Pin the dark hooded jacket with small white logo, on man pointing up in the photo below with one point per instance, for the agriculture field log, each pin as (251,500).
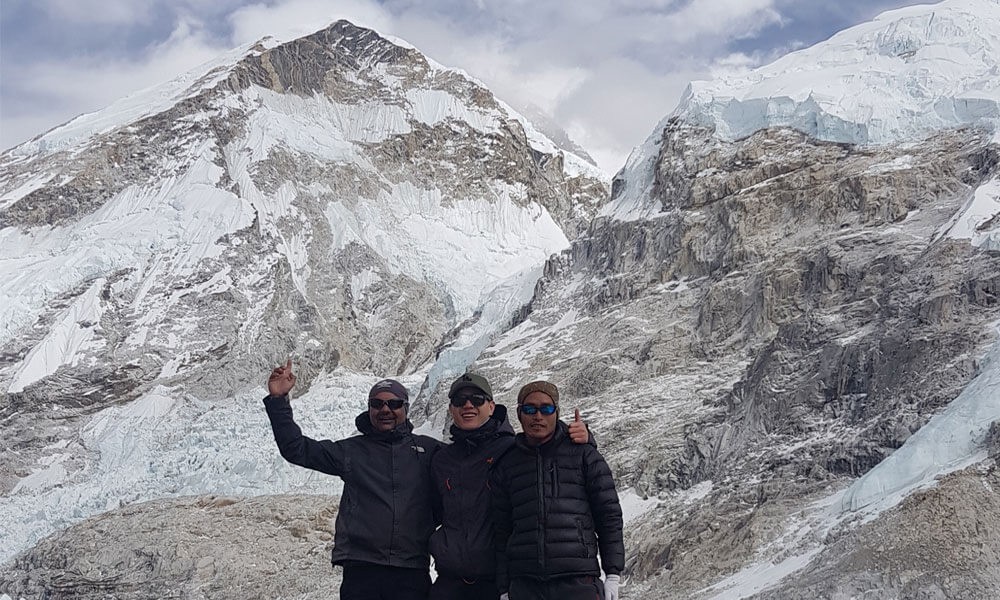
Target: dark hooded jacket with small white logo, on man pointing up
(386,509)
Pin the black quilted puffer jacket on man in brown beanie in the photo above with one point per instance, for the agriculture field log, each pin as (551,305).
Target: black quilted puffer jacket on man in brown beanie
(556,509)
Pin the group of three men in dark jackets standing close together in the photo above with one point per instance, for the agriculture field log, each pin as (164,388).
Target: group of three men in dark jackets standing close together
(398,486)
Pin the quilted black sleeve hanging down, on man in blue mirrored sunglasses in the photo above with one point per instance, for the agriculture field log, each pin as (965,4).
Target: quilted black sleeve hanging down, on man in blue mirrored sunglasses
(607,511)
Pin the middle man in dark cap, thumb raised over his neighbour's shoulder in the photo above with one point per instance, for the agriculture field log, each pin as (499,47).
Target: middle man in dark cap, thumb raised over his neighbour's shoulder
(463,547)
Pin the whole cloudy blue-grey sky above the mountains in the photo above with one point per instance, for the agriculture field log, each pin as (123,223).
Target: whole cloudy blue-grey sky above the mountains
(605,70)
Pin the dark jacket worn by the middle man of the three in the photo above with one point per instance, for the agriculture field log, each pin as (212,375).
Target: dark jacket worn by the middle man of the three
(463,546)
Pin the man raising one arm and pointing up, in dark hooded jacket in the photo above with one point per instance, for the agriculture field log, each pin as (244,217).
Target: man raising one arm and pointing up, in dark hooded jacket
(386,509)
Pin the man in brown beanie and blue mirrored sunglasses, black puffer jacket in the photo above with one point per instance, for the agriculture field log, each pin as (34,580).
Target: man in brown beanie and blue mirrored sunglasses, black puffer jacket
(556,510)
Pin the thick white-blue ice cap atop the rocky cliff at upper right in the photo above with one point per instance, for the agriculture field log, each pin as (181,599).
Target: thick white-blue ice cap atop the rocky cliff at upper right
(903,75)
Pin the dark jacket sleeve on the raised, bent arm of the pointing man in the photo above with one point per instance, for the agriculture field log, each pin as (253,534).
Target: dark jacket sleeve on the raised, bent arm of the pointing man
(325,456)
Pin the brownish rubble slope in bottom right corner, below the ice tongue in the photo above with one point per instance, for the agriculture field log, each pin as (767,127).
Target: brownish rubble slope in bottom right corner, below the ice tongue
(939,543)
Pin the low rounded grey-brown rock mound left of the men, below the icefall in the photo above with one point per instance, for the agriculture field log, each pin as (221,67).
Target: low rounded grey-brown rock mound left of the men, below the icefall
(193,547)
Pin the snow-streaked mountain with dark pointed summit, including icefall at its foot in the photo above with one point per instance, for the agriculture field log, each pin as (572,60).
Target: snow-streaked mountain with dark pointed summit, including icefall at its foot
(340,199)
